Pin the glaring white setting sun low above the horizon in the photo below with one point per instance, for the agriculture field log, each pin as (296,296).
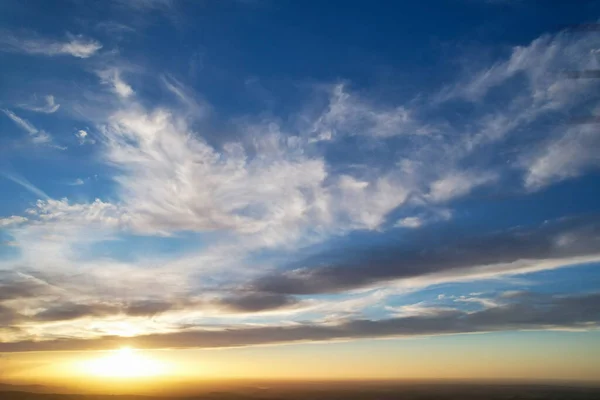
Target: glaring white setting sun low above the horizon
(125,362)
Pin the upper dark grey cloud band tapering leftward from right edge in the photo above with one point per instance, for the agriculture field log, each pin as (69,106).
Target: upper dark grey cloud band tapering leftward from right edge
(434,253)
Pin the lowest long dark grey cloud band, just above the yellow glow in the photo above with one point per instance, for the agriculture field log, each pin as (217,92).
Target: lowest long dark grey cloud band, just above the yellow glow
(523,312)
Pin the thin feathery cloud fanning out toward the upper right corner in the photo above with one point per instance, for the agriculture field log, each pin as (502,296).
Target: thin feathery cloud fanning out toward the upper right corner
(539,90)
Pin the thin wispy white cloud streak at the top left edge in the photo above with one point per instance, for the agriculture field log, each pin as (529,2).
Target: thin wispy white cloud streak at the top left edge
(76,46)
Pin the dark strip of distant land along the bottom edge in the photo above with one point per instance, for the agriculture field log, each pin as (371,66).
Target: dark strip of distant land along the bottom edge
(338,391)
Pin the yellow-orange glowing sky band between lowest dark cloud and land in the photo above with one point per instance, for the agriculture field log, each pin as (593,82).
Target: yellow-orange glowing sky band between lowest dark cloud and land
(463,357)
